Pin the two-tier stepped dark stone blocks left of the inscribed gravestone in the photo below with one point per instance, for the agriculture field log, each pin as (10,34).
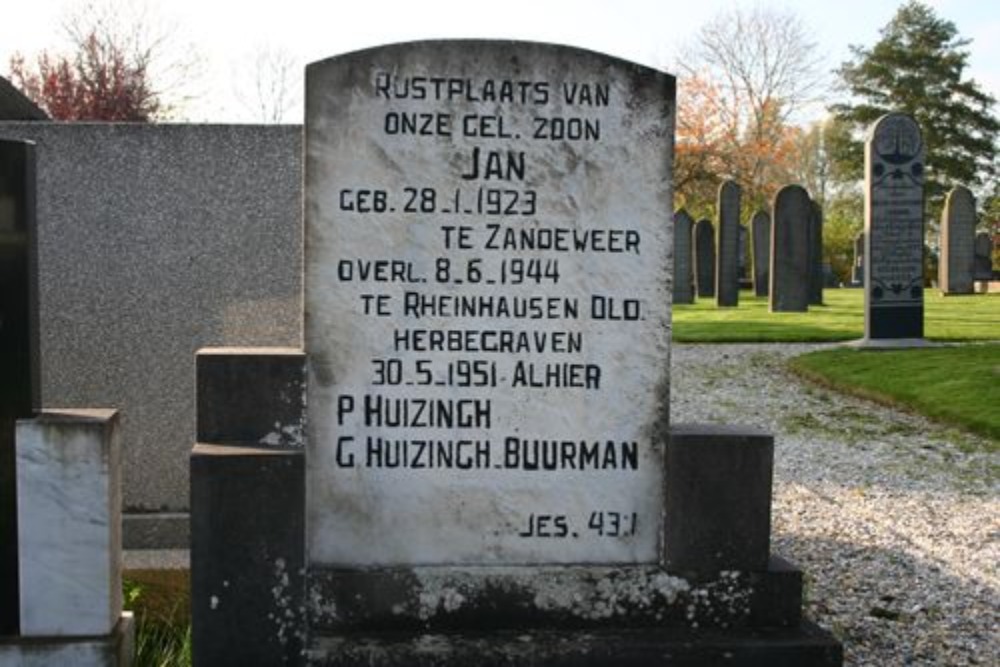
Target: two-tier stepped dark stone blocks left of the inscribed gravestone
(248,509)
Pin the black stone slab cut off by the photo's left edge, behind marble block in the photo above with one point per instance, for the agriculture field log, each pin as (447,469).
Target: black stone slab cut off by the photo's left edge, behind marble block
(19,383)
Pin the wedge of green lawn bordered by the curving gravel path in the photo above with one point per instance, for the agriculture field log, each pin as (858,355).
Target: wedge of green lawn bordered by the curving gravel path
(957,385)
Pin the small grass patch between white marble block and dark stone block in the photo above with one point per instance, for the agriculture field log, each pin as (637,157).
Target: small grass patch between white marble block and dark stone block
(160,600)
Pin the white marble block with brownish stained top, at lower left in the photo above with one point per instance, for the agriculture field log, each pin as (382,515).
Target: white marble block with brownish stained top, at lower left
(69,523)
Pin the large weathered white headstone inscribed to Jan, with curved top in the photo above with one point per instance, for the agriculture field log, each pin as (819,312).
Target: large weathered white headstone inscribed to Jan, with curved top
(487,305)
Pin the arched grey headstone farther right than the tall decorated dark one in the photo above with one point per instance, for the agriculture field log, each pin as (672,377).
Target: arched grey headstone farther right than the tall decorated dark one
(958,234)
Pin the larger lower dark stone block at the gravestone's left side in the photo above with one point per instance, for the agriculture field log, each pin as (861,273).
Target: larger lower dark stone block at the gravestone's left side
(247,555)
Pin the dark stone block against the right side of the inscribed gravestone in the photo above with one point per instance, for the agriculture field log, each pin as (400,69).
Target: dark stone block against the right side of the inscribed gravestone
(718,499)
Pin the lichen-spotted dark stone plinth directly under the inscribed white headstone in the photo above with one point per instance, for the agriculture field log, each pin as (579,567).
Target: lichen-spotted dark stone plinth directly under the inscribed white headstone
(585,598)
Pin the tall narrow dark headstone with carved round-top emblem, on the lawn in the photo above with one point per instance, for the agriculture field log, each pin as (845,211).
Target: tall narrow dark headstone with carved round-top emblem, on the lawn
(894,229)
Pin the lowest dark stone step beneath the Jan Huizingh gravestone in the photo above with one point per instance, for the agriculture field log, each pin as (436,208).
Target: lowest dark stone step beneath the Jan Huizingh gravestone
(807,645)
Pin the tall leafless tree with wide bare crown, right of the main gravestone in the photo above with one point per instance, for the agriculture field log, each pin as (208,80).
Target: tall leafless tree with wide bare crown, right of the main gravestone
(766,69)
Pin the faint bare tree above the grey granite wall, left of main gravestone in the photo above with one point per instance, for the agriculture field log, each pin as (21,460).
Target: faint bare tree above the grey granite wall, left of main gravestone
(270,86)
